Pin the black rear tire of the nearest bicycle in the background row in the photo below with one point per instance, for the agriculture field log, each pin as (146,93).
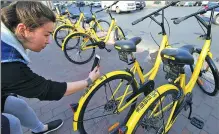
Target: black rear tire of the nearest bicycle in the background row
(66,48)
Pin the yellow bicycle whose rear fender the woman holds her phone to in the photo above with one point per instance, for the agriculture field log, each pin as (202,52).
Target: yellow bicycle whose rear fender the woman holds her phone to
(112,98)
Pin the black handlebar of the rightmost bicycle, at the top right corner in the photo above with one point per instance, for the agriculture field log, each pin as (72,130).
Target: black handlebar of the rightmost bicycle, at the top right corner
(178,20)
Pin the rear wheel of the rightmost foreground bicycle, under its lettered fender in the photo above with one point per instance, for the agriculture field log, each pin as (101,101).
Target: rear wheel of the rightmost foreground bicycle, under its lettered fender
(157,113)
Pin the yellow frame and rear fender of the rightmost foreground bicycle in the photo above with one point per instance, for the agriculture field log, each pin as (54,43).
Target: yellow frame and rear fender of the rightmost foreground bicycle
(186,89)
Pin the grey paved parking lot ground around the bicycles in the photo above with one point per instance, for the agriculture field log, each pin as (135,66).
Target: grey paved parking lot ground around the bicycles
(52,64)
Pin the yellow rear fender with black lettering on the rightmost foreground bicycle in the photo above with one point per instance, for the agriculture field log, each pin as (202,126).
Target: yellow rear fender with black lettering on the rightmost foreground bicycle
(140,109)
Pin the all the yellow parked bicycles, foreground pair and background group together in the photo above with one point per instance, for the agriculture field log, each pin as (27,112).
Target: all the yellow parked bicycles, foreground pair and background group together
(119,103)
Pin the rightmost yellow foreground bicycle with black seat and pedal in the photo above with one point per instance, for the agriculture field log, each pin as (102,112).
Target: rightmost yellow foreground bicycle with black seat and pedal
(158,111)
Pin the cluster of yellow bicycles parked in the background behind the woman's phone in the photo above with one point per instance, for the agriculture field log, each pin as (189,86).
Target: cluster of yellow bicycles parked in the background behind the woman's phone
(79,36)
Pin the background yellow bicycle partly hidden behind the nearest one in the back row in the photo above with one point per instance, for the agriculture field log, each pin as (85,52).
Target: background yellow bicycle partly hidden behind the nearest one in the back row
(64,30)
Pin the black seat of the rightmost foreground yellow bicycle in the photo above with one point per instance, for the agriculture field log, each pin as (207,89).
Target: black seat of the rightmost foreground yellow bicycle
(180,56)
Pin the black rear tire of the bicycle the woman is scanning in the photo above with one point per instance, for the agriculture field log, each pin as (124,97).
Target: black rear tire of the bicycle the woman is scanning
(123,77)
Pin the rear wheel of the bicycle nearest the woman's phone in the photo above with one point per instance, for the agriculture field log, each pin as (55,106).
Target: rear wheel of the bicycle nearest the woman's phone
(100,109)
